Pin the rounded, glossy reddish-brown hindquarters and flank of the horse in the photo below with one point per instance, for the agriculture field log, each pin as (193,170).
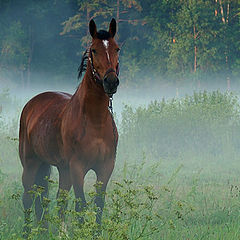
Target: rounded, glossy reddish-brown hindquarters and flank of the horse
(39,134)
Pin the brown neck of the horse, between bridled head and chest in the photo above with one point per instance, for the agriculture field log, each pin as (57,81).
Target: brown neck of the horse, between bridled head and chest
(91,99)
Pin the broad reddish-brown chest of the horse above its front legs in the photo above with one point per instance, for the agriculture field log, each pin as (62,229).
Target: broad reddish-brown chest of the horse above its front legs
(91,143)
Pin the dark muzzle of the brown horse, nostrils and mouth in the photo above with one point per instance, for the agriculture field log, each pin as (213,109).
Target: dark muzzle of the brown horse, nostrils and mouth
(110,83)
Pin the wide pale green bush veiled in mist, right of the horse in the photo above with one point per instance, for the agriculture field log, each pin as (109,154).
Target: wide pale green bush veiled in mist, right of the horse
(203,123)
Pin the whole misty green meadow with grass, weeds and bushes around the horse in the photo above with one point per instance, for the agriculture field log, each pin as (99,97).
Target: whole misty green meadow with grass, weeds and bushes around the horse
(176,175)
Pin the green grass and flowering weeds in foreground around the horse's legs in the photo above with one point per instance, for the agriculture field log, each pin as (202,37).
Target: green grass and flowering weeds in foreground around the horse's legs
(132,211)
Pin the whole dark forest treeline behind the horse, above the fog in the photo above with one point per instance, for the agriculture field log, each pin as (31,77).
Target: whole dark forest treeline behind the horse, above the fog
(162,41)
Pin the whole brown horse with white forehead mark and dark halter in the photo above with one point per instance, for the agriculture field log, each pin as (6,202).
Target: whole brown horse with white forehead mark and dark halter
(76,132)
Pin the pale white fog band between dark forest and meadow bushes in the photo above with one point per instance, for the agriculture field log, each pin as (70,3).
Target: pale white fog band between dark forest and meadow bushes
(140,94)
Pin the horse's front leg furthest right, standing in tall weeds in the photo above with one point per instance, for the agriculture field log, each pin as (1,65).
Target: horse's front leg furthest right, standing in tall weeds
(103,175)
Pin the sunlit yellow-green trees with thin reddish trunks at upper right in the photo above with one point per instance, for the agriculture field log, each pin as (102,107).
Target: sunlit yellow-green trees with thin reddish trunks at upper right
(188,26)
